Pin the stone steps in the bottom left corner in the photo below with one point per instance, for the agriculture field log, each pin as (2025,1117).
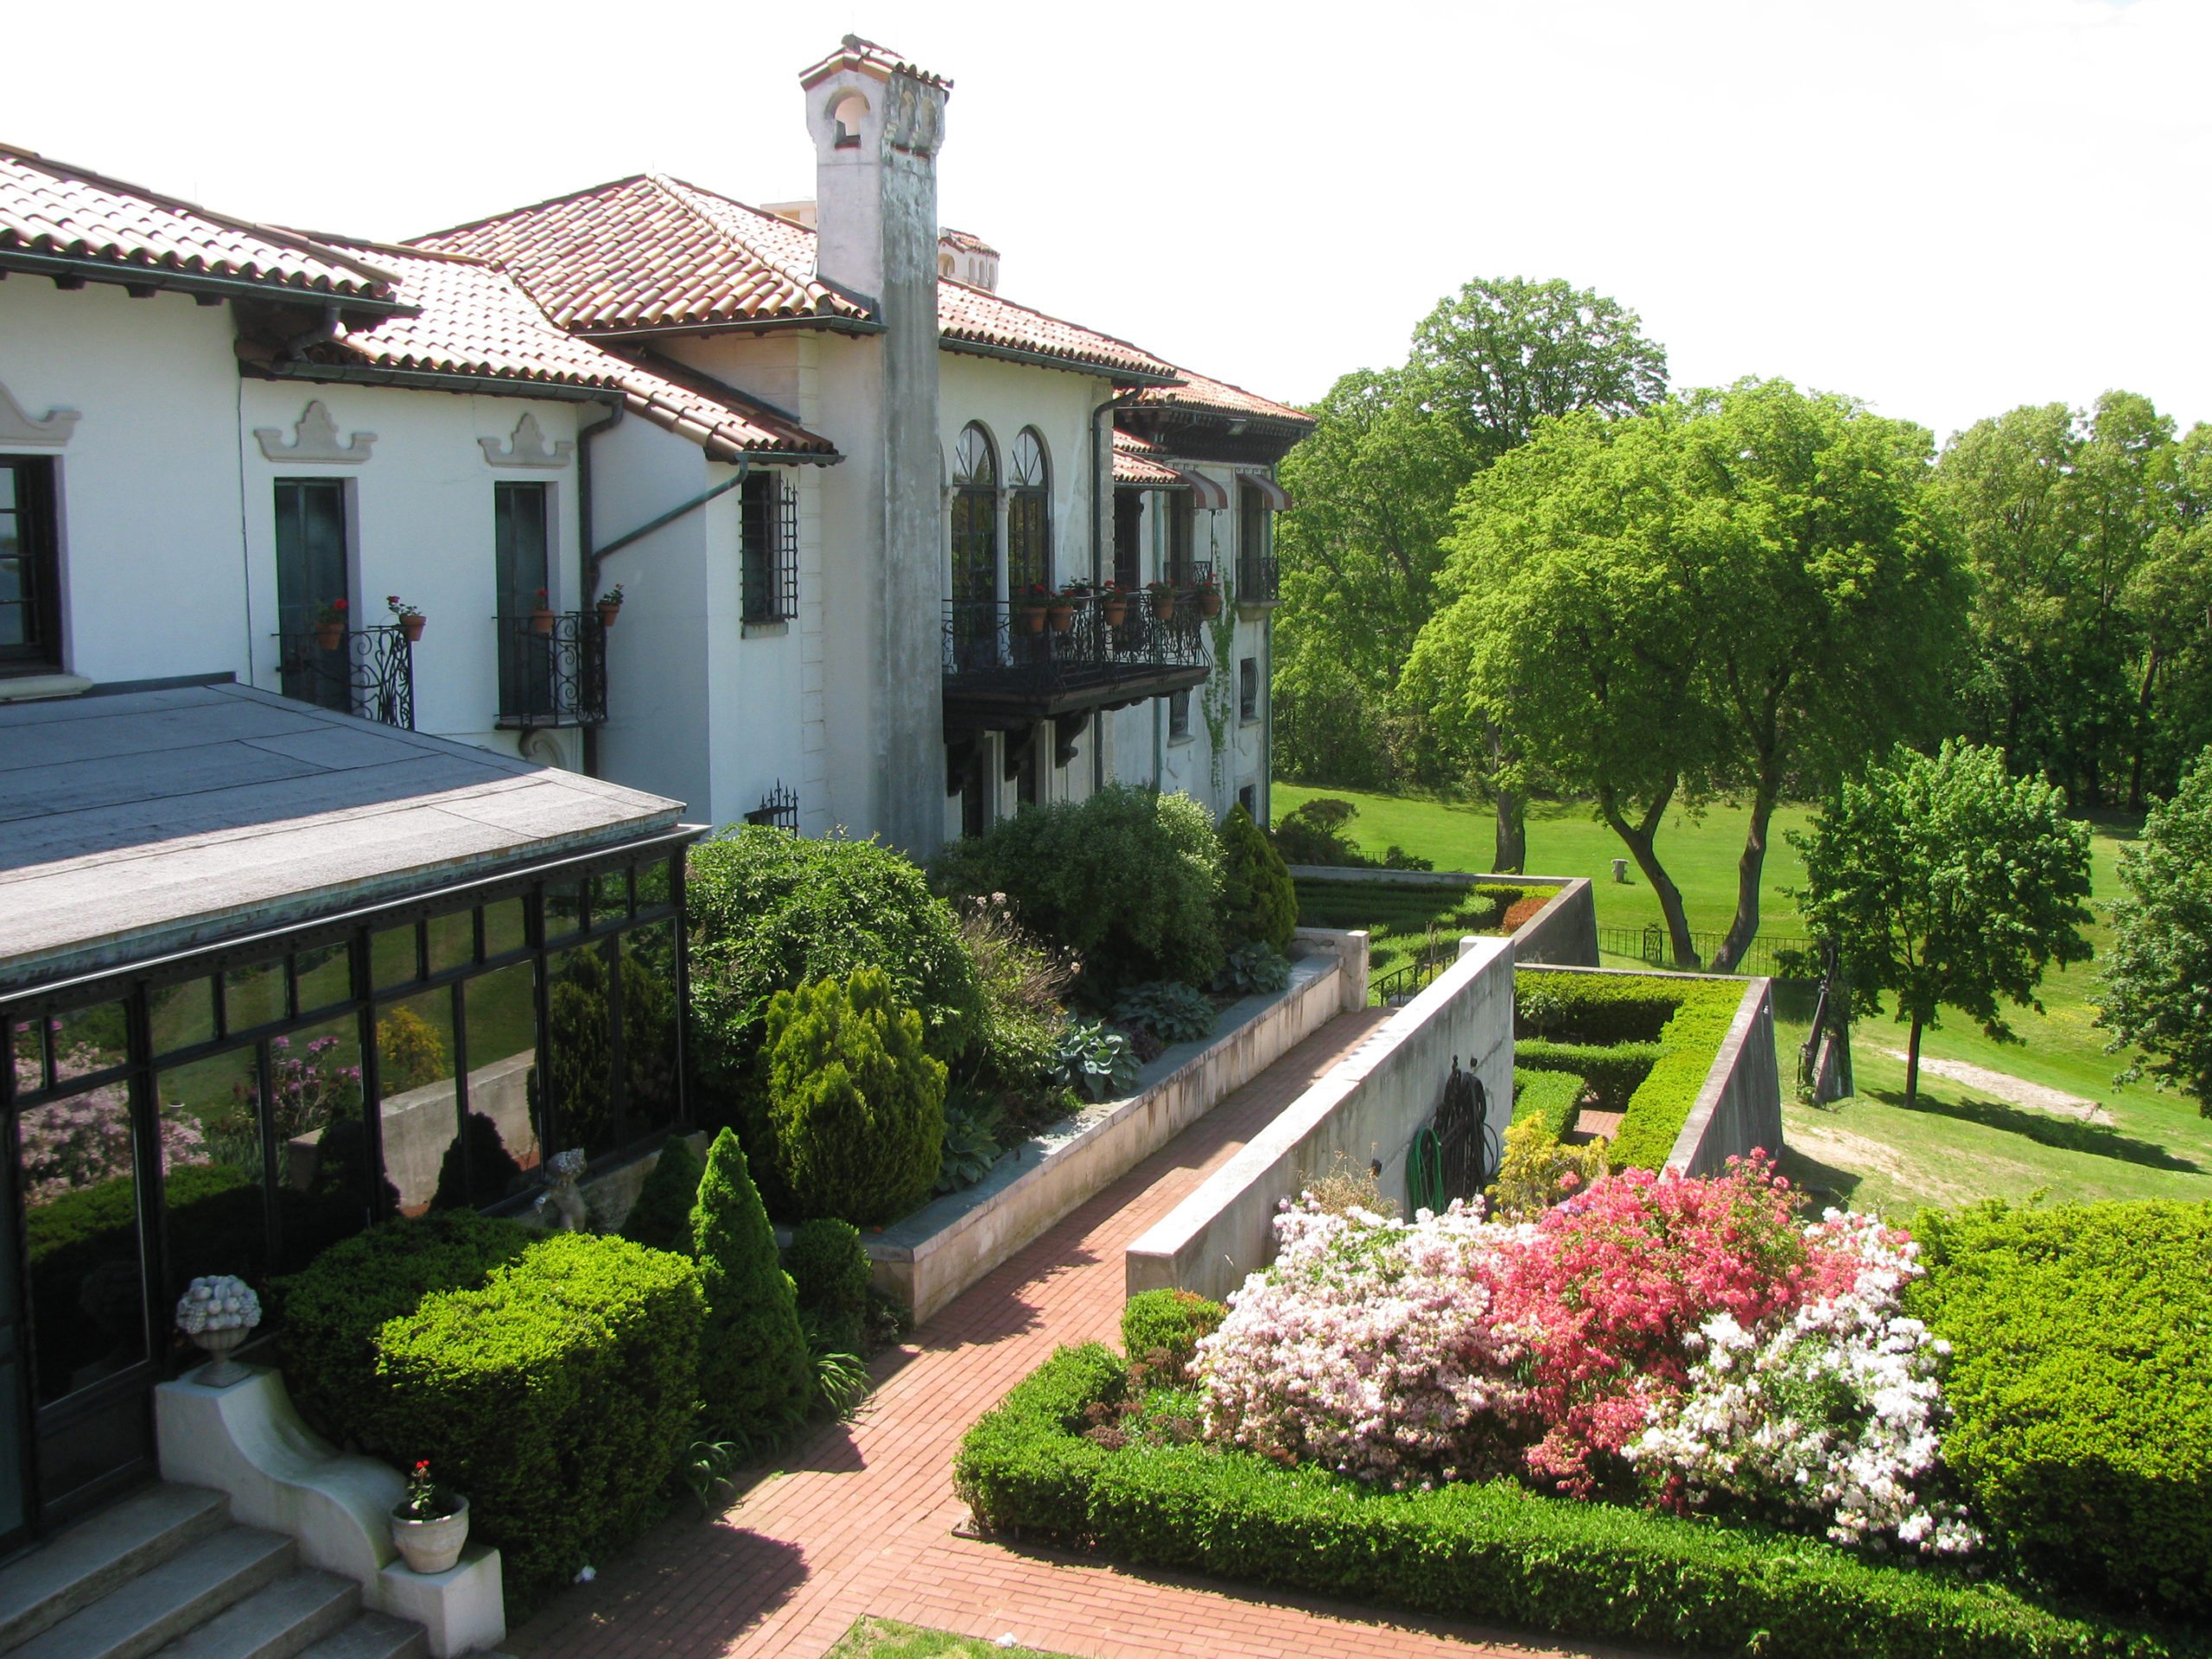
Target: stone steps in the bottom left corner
(169,1574)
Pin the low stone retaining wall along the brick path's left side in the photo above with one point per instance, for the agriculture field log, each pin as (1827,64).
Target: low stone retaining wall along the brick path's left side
(950,1244)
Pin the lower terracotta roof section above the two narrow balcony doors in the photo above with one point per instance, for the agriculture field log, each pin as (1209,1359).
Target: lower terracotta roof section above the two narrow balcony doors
(474,320)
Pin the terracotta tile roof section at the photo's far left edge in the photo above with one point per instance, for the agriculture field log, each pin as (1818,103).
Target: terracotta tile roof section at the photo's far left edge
(52,211)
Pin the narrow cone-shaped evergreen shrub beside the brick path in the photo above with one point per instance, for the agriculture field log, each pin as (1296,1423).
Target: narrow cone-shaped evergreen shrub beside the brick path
(753,1359)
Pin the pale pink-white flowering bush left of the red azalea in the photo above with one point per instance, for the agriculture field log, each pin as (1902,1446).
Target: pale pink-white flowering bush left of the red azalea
(1368,1346)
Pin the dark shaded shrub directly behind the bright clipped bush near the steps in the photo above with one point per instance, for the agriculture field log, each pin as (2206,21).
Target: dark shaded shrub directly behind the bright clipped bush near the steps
(335,1306)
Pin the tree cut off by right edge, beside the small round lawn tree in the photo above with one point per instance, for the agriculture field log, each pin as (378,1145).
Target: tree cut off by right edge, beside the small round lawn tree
(2158,979)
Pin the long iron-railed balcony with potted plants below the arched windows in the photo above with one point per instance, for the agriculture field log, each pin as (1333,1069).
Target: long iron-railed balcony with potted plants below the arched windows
(1010,667)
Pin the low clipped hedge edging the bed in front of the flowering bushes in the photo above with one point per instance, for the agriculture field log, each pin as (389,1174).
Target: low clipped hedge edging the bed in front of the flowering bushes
(1488,1552)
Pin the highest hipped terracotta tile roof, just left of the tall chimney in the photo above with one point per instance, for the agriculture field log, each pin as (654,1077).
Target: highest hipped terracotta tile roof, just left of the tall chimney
(651,253)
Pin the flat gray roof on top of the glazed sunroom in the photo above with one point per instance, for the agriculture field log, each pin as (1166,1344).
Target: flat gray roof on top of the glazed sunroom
(154,822)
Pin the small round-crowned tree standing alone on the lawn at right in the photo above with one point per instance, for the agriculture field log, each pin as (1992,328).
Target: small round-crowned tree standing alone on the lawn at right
(1948,884)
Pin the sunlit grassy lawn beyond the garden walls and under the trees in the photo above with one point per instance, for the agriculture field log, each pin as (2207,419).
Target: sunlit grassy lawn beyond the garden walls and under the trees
(1959,1142)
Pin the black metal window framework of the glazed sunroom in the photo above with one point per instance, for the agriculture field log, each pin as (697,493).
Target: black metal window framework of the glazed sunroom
(136,985)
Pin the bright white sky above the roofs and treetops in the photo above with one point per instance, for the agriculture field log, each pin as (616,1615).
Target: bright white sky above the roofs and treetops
(1943,207)
